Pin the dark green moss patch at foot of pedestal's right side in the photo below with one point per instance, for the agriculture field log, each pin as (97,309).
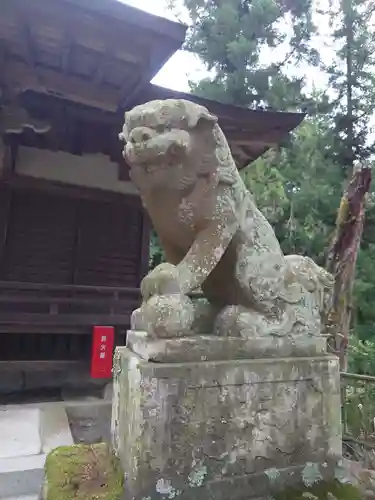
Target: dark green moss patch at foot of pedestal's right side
(322,491)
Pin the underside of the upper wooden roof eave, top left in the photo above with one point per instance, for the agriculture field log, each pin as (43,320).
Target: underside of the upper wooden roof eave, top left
(129,45)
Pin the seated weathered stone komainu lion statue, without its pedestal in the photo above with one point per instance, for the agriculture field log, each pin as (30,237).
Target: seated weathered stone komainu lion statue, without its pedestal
(214,237)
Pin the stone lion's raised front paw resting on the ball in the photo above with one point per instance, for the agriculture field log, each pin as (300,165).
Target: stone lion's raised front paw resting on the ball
(163,280)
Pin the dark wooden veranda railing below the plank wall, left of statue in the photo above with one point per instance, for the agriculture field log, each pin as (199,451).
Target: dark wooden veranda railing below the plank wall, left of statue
(32,307)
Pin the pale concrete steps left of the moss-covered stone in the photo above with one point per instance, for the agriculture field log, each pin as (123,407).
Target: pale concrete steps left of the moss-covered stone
(27,435)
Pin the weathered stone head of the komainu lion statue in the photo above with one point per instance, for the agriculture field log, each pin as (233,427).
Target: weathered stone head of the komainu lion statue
(169,143)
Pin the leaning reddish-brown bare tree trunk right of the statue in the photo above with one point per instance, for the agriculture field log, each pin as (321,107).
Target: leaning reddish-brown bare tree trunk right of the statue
(342,259)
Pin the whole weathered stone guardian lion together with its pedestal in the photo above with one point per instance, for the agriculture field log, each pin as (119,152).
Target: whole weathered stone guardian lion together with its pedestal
(194,414)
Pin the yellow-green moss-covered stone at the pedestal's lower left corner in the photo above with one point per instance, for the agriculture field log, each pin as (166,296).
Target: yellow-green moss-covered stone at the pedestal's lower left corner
(82,472)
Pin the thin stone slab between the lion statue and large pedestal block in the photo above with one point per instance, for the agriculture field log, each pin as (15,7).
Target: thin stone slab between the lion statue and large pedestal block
(212,348)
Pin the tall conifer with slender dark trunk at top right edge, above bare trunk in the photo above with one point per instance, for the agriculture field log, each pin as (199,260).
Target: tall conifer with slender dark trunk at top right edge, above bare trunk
(352,80)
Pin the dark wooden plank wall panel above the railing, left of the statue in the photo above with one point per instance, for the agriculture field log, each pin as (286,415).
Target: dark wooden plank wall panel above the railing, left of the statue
(49,238)
